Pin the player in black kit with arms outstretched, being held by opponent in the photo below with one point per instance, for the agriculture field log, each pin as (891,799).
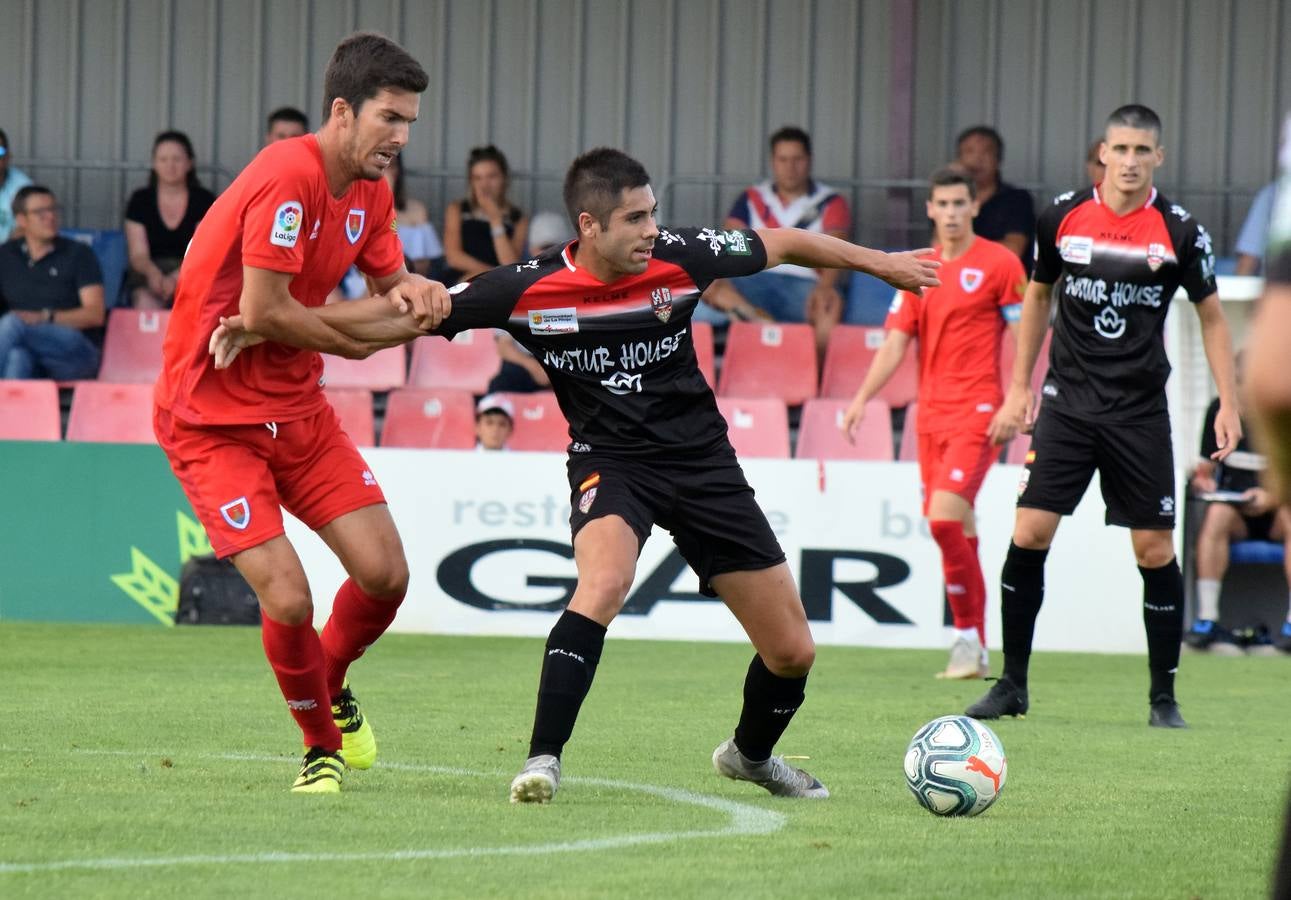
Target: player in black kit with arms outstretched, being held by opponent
(609,318)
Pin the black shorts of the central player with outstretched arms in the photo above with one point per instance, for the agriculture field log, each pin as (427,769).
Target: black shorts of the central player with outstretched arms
(706,504)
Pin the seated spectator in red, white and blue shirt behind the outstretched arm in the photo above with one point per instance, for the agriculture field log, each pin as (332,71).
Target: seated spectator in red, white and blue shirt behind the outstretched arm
(788,199)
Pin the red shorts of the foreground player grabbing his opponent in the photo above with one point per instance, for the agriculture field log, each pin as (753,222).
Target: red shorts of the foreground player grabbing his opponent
(239,478)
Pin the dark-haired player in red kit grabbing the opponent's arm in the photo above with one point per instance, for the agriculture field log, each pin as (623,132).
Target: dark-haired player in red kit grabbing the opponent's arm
(250,441)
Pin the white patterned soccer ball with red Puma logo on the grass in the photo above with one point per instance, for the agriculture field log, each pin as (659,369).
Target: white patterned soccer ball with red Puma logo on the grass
(956,766)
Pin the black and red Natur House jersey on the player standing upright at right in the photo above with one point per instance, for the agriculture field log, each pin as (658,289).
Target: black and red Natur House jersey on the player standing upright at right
(1116,277)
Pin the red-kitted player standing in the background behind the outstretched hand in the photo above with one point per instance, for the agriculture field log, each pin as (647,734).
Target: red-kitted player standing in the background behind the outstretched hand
(959,327)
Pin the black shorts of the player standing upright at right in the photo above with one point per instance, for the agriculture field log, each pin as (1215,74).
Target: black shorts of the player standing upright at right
(1134,460)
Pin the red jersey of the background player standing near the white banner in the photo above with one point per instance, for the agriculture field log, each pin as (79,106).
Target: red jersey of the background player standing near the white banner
(960,326)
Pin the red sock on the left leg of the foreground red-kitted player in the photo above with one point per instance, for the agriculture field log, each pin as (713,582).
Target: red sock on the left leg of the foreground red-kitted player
(296,658)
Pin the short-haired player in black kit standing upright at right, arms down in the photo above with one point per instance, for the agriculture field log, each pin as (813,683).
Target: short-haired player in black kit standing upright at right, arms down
(1117,254)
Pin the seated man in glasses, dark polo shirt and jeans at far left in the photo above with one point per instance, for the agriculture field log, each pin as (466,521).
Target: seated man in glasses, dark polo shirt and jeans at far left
(54,292)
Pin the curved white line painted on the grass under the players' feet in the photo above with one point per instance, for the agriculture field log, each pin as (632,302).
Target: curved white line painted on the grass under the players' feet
(744,821)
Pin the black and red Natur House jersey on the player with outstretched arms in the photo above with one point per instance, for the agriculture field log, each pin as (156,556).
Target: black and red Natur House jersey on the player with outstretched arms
(619,356)
